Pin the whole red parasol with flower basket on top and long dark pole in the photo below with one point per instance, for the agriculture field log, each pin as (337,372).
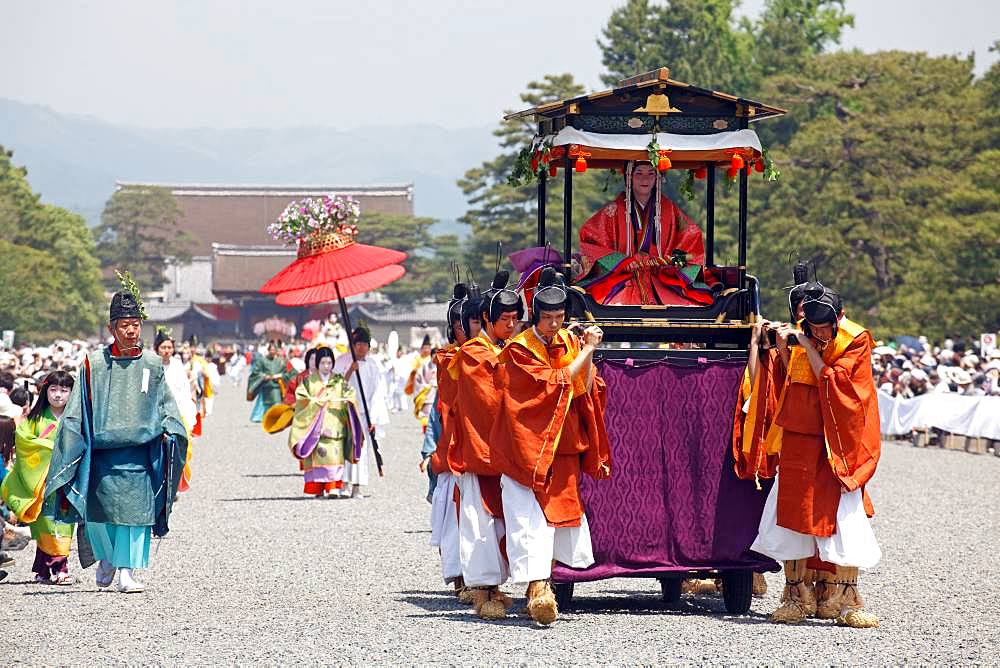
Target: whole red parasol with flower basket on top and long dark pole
(330,264)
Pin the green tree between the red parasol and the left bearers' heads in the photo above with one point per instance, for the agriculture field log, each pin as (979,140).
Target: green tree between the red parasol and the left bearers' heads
(428,274)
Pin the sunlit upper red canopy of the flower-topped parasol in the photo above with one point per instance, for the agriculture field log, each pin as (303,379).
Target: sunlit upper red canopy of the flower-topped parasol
(326,258)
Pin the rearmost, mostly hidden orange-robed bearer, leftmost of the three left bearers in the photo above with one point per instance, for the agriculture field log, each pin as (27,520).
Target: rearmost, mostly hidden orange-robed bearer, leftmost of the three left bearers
(444,510)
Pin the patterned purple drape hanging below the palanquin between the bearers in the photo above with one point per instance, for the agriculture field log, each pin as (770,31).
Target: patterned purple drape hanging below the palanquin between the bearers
(673,502)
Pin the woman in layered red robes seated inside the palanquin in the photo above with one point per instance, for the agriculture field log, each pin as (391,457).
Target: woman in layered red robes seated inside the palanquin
(641,248)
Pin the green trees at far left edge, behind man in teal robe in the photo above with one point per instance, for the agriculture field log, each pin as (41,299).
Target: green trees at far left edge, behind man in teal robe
(51,279)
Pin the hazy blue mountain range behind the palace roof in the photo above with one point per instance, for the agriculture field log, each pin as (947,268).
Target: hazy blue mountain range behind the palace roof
(74,161)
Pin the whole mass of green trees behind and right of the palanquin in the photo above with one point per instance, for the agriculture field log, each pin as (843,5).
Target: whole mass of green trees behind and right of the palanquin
(888,160)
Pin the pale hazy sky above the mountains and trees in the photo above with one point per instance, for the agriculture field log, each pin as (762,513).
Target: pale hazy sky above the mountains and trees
(455,63)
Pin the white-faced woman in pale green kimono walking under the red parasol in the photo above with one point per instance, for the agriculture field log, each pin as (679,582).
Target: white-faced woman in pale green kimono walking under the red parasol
(326,431)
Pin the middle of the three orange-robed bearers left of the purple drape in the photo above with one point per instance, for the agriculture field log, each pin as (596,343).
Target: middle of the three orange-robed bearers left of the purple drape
(480,524)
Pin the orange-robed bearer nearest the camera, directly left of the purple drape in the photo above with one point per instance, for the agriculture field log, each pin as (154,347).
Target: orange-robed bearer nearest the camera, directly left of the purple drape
(550,429)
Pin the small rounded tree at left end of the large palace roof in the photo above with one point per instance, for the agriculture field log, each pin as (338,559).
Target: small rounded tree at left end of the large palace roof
(139,232)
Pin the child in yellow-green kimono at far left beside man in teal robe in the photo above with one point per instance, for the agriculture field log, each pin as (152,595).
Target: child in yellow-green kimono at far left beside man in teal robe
(23,489)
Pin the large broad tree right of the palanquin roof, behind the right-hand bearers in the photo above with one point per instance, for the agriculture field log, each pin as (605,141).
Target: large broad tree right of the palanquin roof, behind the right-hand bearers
(869,173)
